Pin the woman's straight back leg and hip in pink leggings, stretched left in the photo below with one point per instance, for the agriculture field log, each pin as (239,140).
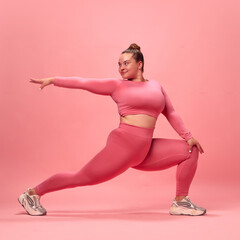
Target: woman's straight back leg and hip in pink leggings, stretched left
(122,151)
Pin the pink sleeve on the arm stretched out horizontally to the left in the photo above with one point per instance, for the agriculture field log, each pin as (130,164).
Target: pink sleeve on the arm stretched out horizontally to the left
(103,86)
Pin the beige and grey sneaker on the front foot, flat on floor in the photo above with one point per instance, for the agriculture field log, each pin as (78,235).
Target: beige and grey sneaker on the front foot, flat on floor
(186,207)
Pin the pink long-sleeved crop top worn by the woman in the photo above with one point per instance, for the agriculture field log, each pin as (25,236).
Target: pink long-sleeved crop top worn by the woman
(132,97)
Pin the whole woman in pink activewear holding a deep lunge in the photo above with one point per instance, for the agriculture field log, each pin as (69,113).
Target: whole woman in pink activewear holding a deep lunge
(139,101)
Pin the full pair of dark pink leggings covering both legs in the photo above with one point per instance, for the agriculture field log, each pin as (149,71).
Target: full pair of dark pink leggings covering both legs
(130,146)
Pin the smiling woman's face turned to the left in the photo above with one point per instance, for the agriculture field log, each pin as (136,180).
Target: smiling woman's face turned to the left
(128,67)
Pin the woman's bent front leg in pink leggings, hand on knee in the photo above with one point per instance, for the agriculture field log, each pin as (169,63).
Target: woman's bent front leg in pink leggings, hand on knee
(165,153)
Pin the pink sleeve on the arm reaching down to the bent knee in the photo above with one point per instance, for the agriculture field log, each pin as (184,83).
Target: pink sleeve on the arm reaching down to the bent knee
(174,118)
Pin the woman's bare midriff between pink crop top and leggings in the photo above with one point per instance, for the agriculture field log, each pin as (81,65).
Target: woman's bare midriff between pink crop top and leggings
(141,120)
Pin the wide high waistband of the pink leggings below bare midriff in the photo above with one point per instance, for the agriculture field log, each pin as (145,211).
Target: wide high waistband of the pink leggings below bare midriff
(137,130)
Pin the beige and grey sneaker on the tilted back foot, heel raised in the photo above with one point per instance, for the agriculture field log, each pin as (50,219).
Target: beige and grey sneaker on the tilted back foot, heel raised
(31,203)
